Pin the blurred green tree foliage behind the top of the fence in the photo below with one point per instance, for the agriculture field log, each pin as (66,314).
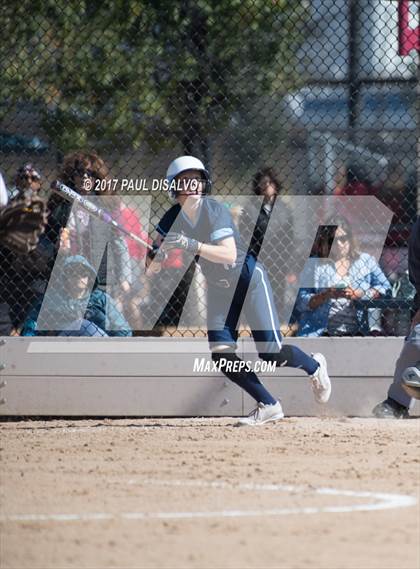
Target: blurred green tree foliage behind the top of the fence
(112,73)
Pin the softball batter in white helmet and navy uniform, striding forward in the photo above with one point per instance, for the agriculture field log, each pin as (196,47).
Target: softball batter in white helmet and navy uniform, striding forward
(204,227)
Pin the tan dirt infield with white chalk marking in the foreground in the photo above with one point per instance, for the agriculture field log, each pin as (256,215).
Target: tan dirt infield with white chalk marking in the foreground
(201,493)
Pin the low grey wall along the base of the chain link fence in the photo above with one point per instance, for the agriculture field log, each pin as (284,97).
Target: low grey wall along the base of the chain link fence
(156,377)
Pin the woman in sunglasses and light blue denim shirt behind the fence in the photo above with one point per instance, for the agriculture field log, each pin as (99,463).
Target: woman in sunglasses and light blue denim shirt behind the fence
(349,274)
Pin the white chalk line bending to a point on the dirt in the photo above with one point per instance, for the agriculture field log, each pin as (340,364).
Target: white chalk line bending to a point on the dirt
(384,501)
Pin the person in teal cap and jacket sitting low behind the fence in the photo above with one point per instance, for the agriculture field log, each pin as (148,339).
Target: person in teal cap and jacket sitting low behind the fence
(65,306)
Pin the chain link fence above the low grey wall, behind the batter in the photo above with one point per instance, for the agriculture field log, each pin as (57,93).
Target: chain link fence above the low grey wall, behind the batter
(278,98)
